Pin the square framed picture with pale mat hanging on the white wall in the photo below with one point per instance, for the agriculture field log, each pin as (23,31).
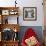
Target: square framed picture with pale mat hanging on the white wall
(30,13)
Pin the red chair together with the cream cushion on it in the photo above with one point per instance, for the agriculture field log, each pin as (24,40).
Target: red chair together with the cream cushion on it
(30,39)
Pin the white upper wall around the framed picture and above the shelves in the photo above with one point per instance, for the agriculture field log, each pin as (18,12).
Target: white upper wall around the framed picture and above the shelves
(26,3)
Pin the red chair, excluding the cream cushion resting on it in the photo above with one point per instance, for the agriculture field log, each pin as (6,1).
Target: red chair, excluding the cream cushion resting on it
(29,33)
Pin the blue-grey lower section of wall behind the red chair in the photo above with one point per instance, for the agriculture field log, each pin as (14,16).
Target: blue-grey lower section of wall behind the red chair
(37,29)
